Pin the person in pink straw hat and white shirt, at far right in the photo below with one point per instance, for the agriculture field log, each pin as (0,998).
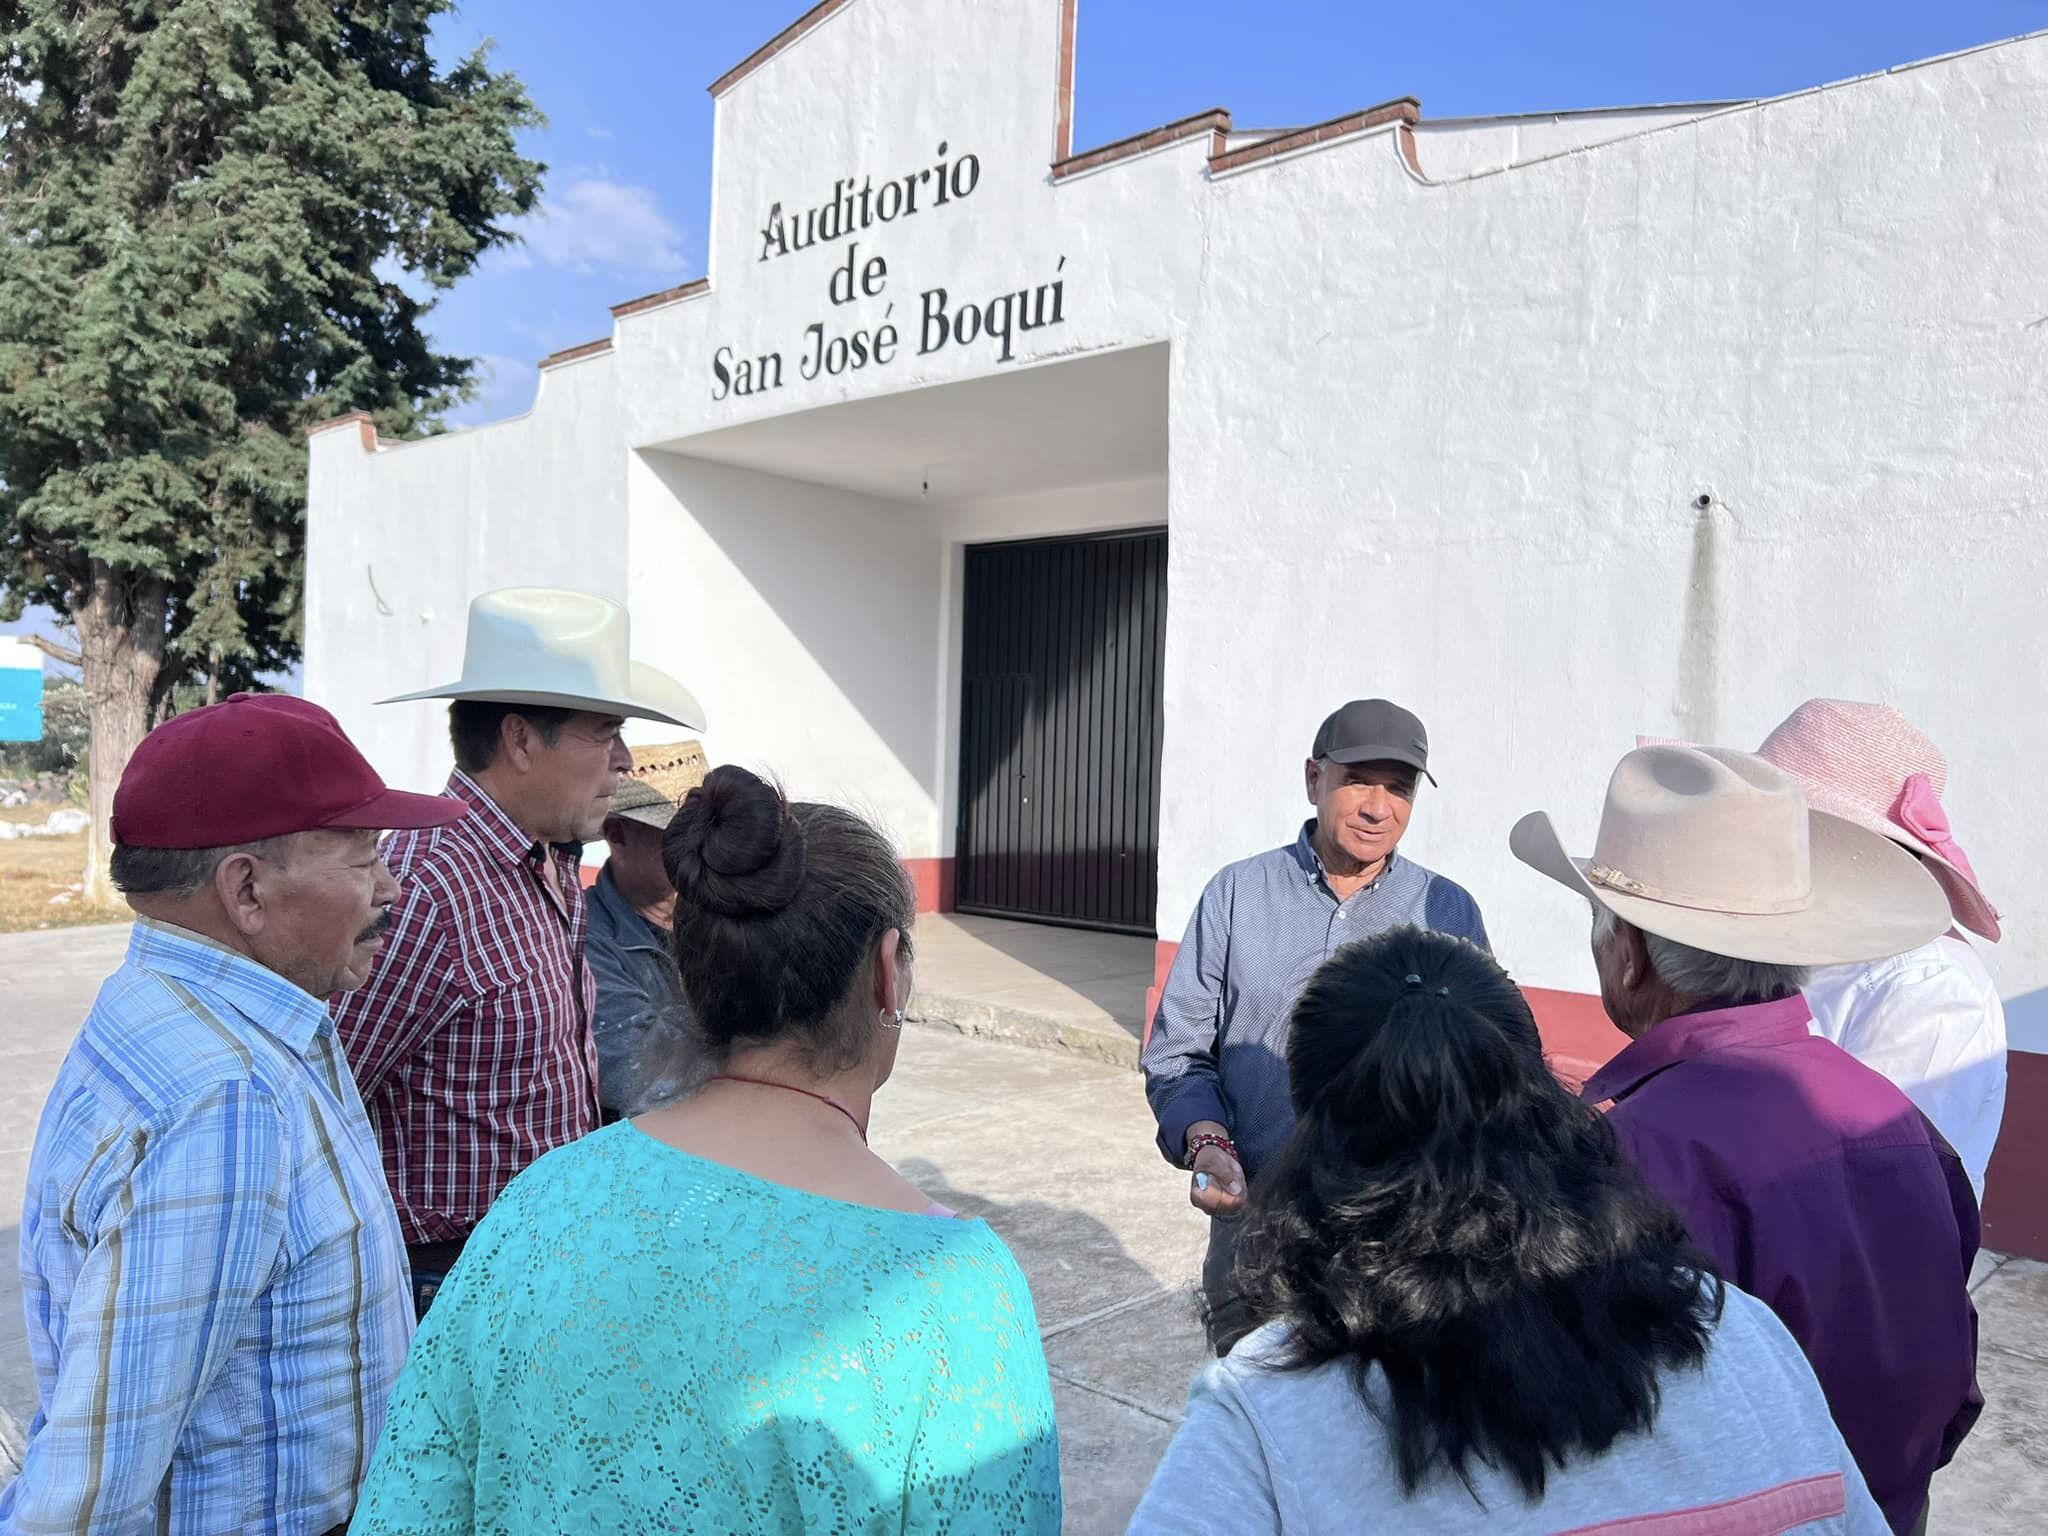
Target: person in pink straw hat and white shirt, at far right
(1928,1019)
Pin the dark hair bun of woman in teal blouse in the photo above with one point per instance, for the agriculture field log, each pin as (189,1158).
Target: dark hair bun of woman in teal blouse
(734,849)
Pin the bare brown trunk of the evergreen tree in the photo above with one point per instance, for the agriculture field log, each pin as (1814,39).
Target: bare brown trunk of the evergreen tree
(122,632)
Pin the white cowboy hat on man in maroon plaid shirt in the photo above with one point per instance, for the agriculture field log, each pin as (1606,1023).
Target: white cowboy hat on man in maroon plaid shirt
(568,650)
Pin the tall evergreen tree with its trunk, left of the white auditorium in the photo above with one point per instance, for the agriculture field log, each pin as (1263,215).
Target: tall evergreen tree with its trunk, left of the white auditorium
(204,214)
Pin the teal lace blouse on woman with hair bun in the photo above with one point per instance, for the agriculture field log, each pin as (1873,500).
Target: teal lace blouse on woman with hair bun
(646,1340)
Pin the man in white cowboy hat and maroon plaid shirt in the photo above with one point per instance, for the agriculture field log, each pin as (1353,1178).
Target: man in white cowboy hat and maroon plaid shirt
(474,1037)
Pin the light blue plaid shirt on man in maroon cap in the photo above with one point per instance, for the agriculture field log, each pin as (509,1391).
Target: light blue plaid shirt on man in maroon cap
(210,1261)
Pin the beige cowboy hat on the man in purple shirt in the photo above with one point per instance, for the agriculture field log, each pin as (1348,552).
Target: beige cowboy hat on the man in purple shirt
(1719,851)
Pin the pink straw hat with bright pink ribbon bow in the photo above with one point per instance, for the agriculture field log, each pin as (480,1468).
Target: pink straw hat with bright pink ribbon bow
(1873,767)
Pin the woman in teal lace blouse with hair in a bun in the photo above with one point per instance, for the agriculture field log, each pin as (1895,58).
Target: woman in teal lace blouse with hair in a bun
(730,1316)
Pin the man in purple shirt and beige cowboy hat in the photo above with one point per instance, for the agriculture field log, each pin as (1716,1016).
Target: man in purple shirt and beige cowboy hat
(1807,1179)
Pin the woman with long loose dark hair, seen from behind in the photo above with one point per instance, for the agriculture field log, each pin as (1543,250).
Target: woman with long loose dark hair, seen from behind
(1469,1314)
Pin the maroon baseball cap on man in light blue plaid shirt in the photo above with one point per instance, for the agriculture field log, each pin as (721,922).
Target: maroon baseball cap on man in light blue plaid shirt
(257,767)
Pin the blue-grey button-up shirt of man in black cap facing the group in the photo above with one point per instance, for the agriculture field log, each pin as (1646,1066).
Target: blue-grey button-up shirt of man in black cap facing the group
(1263,929)
